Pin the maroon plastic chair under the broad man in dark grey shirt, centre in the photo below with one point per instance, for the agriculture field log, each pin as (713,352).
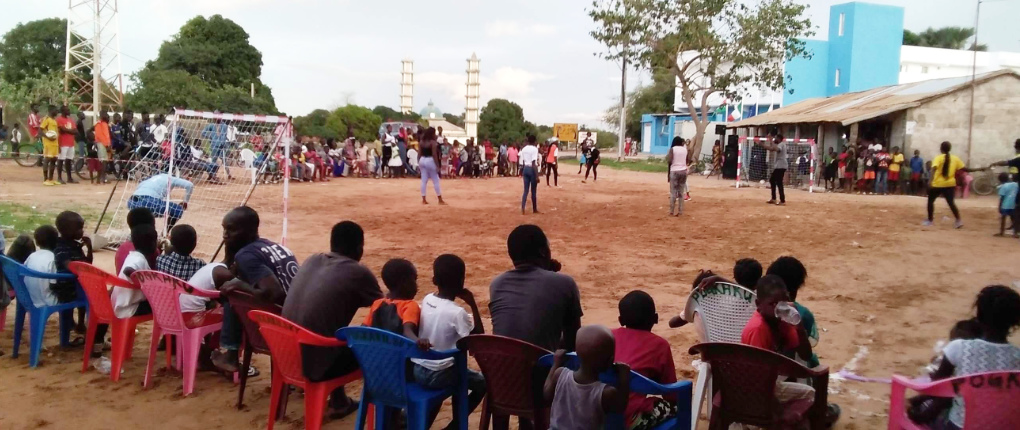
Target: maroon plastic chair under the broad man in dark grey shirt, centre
(513,388)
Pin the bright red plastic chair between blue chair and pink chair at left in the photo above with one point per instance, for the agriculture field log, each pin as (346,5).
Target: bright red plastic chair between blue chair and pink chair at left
(96,285)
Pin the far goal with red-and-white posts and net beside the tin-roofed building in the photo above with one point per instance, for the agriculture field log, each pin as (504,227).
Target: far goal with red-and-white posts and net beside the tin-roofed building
(755,165)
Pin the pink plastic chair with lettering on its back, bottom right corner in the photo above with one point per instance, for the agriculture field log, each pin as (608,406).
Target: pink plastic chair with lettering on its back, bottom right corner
(990,400)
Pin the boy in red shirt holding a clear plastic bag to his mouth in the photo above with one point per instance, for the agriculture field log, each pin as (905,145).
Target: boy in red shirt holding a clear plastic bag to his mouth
(767,332)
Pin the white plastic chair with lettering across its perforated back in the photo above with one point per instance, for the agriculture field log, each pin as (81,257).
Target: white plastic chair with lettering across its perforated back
(725,310)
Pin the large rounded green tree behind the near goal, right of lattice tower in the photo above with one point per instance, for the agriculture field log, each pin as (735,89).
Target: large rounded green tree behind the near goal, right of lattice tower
(210,65)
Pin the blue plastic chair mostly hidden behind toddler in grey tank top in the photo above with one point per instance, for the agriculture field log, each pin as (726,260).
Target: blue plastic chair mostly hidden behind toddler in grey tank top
(684,391)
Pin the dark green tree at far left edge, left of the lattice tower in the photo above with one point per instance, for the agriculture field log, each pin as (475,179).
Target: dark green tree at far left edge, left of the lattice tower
(32,49)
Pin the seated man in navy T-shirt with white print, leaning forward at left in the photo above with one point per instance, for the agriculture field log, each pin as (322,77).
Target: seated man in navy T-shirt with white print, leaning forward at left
(265,270)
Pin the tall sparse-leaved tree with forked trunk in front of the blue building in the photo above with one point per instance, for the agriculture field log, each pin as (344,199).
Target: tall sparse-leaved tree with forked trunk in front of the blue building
(709,47)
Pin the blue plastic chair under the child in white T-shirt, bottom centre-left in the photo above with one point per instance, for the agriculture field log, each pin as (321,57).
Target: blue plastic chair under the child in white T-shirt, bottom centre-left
(383,357)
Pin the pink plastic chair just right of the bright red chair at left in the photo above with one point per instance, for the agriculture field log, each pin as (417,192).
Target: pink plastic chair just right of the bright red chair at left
(164,293)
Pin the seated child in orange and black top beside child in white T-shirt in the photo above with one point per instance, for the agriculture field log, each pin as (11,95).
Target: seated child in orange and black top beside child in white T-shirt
(398,312)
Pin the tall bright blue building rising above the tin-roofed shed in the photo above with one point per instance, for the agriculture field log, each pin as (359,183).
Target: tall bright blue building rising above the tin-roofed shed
(862,52)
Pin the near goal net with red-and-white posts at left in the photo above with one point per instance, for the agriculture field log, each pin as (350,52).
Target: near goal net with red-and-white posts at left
(225,157)
